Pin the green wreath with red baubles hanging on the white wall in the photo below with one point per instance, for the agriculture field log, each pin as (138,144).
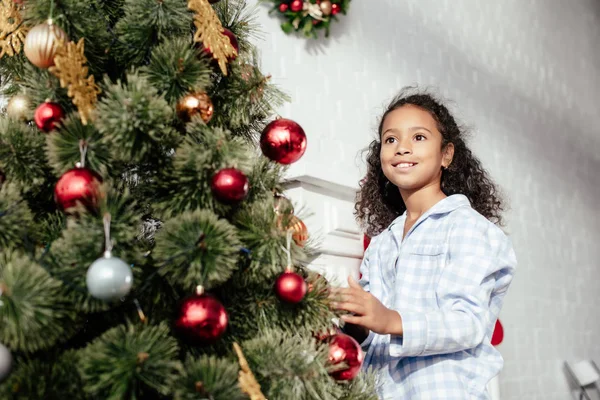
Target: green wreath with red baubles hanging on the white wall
(309,16)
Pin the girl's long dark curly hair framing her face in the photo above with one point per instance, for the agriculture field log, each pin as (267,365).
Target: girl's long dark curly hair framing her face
(377,206)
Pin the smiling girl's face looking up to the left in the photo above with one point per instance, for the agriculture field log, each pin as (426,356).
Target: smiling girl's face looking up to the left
(411,149)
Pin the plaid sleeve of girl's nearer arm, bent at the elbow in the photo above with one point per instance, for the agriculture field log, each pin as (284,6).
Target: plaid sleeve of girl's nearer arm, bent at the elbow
(481,263)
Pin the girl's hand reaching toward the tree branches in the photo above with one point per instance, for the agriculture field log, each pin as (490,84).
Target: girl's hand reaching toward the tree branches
(369,311)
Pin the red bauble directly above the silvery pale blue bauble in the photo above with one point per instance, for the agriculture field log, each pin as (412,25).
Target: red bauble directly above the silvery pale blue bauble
(78,185)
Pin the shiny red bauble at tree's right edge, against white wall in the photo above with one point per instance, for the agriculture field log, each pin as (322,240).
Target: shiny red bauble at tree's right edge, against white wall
(283,141)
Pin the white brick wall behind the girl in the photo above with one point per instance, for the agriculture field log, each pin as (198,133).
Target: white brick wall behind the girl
(526,77)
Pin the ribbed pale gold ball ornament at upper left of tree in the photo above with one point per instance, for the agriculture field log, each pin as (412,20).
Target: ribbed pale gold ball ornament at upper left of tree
(42,43)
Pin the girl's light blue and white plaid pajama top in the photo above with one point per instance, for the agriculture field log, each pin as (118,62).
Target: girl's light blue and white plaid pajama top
(447,279)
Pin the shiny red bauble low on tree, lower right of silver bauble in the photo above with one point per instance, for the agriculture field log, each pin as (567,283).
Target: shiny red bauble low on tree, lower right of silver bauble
(201,319)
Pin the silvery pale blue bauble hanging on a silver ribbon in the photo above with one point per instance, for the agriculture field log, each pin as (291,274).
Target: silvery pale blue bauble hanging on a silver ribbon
(109,278)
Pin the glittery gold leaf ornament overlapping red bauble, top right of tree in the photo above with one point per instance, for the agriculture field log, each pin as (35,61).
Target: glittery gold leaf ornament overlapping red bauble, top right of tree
(209,31)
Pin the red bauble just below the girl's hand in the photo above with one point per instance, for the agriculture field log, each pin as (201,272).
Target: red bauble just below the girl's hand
(344,349)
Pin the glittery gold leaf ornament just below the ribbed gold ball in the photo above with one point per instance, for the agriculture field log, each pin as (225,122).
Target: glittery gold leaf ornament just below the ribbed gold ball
(72,72)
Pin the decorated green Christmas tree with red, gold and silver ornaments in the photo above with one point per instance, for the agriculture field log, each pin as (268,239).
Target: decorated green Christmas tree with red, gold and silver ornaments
(146,248)
